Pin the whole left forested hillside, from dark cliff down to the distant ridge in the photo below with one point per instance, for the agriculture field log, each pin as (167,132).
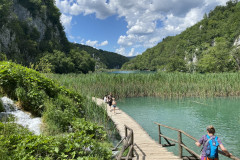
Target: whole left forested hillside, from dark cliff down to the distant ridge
(31,34)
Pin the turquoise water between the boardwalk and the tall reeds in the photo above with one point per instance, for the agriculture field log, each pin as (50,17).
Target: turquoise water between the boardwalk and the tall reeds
(191,115)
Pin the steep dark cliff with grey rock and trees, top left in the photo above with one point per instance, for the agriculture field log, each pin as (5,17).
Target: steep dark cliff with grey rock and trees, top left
(29,28)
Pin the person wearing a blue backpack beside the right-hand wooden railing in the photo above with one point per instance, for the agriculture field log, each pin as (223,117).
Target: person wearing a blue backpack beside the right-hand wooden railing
(210,145)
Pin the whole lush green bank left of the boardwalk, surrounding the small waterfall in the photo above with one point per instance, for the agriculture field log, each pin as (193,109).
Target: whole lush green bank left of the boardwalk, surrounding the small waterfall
(60,109)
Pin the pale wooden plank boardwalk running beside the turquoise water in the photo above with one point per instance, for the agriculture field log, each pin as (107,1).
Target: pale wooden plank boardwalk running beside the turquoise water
(145,147)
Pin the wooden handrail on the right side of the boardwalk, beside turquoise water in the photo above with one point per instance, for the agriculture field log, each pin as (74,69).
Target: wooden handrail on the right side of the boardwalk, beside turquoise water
(180,143)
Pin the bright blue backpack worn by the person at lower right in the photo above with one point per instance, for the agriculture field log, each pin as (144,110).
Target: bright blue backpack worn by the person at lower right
(212,147)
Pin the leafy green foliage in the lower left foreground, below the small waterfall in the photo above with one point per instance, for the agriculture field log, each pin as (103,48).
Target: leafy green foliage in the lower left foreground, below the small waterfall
(18,143)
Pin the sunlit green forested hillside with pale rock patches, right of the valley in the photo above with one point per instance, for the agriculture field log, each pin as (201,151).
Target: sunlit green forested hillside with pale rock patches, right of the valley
(211,45)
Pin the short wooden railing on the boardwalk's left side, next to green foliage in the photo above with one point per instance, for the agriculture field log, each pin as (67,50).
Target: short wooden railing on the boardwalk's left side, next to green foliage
(127,144)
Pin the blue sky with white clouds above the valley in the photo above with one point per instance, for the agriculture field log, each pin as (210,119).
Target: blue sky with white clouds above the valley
(129,27)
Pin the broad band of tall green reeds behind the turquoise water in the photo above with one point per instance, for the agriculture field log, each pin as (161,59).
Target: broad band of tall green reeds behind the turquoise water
(167,85)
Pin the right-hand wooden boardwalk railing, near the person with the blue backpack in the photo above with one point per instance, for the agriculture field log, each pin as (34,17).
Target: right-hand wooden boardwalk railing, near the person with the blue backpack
(181,145)
